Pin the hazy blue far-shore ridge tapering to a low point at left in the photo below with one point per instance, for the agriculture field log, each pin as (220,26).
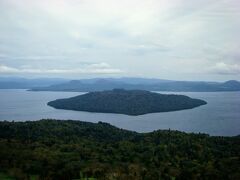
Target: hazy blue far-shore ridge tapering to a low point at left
(100,84)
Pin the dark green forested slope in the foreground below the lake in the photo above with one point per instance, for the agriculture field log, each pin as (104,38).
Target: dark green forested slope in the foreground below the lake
(57,149)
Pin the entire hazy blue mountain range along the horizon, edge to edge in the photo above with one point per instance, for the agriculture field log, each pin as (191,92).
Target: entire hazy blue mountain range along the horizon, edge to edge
(100,84)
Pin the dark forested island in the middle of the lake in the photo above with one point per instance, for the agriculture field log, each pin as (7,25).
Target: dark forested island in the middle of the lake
(130,102)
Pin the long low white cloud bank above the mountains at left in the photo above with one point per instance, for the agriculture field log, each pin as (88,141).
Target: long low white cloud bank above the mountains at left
(102,68)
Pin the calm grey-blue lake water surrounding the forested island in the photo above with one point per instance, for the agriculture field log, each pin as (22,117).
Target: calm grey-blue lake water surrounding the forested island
(221,116)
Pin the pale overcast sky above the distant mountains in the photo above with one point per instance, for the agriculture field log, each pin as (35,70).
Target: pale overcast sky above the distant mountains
(167,39)
